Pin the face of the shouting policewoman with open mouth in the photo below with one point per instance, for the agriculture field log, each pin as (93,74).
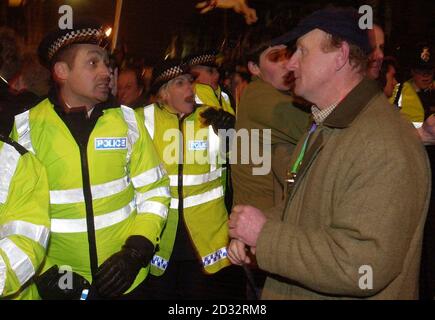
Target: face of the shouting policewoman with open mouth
(178,94)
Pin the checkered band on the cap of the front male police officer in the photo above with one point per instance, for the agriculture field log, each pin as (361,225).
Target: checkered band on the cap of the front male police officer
(87,35)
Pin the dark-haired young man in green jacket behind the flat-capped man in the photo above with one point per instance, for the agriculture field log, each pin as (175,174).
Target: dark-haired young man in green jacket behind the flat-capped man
(266,105)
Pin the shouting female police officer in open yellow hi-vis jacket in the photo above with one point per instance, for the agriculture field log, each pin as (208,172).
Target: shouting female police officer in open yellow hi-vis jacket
(194,242)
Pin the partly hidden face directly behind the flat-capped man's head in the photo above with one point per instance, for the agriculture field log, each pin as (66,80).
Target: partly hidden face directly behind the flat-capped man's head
(377,41)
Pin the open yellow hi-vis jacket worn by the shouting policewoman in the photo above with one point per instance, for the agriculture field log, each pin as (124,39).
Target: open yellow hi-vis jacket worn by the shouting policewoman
(199,175)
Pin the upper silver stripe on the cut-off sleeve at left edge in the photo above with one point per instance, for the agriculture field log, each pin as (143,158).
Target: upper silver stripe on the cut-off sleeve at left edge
(35,232)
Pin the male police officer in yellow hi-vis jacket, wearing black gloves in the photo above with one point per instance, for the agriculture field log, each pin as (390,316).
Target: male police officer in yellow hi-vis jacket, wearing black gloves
(109,192)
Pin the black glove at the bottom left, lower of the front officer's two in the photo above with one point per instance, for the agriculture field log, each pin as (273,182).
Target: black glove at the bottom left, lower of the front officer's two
(53,285)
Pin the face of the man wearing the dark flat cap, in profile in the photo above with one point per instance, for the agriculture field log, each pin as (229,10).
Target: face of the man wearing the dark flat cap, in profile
(313,67)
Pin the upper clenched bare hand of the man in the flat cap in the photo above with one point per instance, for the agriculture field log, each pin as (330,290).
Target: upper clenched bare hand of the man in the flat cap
(246,223)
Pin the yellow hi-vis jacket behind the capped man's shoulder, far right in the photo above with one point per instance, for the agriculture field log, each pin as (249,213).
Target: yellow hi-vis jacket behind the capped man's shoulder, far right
(409,102)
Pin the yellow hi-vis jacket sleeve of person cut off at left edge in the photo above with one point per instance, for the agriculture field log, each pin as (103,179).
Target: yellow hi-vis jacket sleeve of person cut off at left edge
(24,221)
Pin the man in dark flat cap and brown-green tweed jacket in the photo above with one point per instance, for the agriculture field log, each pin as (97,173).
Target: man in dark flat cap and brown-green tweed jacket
(353,221)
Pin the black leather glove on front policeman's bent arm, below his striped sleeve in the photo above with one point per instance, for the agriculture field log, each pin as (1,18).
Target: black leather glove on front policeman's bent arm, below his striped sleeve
(118,273)
